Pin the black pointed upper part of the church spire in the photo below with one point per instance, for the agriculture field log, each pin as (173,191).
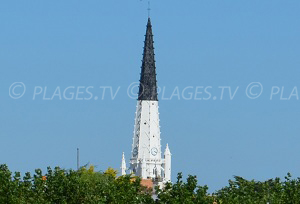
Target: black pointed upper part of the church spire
(148,87)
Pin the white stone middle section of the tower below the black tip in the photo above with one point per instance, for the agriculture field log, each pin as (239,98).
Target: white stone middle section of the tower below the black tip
(146,140)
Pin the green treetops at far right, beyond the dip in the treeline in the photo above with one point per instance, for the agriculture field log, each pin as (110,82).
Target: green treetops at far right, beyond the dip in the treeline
(273,191)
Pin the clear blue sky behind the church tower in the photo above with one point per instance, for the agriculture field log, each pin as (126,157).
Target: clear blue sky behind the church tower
(197,43)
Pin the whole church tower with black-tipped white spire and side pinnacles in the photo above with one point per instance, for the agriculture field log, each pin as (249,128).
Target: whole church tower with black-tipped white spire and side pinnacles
(146,155)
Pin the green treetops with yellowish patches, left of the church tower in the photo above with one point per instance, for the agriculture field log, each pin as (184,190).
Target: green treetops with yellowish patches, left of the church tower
(67,187)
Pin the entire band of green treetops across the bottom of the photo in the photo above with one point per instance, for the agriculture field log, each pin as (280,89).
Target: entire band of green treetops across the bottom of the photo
(62,186)
